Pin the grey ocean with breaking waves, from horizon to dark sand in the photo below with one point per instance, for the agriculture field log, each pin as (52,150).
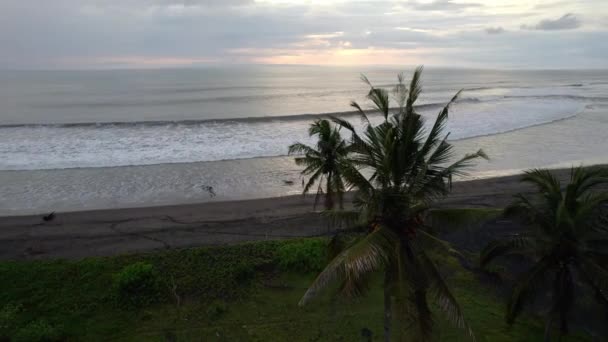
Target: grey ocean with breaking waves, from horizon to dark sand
(73,140)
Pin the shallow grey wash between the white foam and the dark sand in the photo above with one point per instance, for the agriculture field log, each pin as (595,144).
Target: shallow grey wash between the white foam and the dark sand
(556,145)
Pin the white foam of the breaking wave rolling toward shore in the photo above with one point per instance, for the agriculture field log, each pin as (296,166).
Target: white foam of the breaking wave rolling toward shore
(49,147)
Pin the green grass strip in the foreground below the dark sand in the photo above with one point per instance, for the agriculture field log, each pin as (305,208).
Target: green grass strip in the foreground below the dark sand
(233,293)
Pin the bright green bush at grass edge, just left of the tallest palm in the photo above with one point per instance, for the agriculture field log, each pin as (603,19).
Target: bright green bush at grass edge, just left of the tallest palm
(308,255)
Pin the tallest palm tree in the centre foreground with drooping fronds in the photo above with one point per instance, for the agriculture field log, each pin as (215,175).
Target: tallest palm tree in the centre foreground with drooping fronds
(408,170)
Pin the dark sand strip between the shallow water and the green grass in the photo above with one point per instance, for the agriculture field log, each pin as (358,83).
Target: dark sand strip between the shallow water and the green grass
(79,234)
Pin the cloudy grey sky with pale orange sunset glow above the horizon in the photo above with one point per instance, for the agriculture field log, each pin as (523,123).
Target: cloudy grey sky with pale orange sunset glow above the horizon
(98,34)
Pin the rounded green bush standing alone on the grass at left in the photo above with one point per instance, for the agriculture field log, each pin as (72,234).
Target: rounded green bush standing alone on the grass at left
(137,285)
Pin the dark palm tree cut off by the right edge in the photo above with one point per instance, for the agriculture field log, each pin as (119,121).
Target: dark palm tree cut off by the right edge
(567,237)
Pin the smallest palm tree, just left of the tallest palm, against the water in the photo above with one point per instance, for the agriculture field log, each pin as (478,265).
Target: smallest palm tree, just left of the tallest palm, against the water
(323,160)
